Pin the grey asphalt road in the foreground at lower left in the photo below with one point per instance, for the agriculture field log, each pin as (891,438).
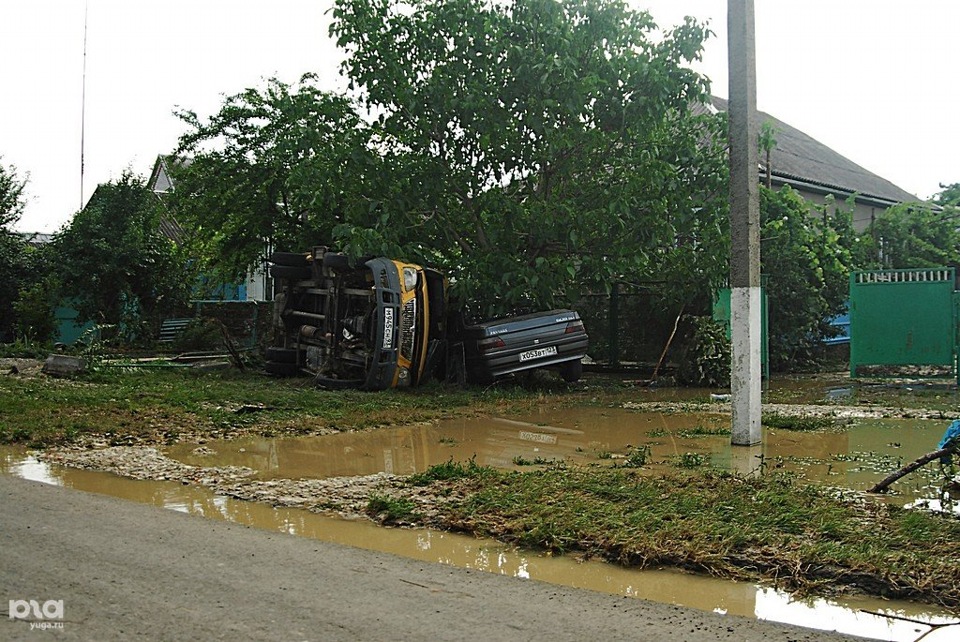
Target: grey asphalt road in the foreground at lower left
(129,571)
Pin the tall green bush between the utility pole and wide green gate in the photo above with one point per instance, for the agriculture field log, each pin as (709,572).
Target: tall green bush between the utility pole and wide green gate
(806,256)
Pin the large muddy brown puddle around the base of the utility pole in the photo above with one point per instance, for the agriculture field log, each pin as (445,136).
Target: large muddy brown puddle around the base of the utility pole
(854,457)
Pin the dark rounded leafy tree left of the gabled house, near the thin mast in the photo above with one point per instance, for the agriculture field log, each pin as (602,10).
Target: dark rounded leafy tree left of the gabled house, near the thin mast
(115,264)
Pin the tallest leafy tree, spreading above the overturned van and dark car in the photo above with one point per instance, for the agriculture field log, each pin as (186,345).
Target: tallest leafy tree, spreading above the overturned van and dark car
(535,148)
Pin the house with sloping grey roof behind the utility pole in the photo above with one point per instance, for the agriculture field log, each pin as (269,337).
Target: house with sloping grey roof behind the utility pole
(818,172)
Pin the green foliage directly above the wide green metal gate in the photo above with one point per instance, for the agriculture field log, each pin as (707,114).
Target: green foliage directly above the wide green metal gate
(916,236)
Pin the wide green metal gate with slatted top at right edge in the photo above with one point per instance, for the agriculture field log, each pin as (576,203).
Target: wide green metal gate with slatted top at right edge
(903,318)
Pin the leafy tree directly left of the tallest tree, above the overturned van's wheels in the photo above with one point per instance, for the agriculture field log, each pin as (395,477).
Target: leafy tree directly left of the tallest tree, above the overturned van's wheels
(272,169)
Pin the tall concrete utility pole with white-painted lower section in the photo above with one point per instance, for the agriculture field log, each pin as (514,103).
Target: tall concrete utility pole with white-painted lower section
(744,225)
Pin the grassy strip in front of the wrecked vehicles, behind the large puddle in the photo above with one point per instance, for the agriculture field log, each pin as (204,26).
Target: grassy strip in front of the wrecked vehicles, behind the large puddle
(165,405)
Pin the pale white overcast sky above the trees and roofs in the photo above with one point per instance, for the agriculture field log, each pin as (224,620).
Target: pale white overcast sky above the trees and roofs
(876,80)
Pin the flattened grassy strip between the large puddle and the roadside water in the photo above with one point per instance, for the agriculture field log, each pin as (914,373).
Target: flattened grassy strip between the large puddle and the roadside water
(805,538)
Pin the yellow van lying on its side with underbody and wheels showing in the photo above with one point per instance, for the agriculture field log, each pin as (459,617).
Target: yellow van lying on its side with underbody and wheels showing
(374,324)
